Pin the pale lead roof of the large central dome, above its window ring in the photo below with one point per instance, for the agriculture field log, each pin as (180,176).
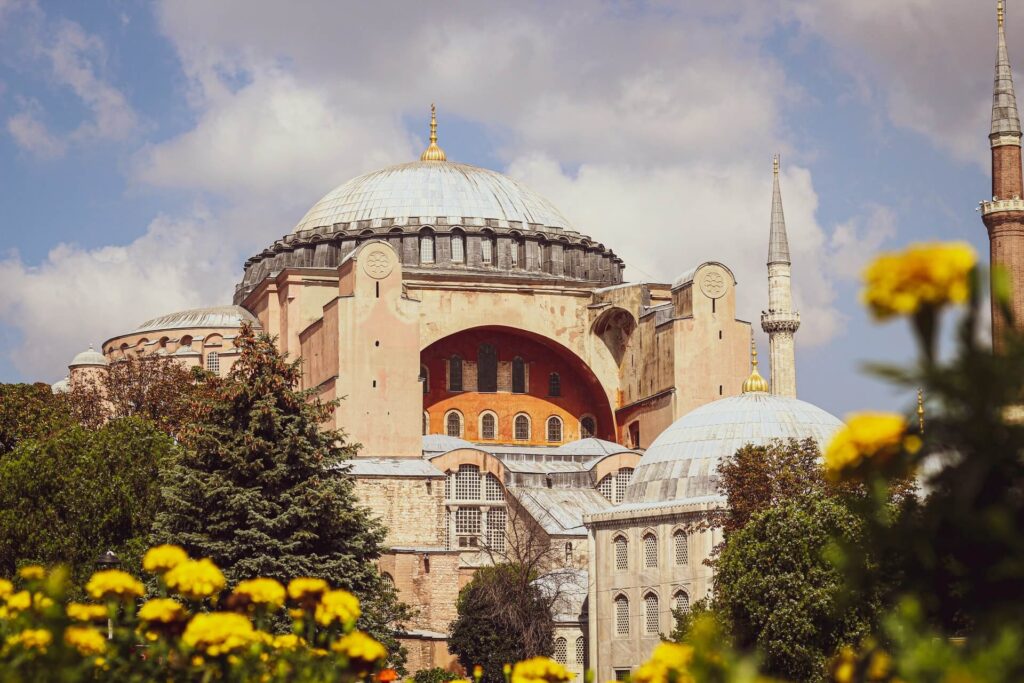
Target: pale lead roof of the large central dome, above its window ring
(459,193)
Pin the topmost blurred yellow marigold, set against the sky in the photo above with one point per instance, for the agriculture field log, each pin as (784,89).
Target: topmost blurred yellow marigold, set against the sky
(924,275)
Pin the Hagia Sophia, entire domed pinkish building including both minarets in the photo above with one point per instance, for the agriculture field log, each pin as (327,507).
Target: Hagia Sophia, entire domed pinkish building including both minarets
(503,376)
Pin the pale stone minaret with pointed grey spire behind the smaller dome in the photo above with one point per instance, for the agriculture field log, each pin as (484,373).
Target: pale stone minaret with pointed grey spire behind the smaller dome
(781,323)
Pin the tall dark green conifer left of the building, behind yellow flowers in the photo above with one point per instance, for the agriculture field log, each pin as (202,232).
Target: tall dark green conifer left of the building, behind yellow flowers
(263,490)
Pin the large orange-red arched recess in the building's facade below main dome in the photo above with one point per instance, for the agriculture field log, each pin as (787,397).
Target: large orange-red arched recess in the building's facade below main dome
(582,393)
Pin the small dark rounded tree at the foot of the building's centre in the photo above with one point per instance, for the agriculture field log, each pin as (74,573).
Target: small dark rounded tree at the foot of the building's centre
(503,617)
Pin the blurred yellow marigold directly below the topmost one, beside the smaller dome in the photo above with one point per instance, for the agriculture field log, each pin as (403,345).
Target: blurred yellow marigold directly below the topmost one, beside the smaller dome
(869,436)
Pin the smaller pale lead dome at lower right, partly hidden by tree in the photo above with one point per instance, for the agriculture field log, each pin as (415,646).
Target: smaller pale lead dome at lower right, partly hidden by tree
(682,463)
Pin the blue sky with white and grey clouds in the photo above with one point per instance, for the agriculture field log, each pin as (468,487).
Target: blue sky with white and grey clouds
(147,150)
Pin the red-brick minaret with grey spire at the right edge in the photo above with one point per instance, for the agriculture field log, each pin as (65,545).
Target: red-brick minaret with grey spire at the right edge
(1004,216)
